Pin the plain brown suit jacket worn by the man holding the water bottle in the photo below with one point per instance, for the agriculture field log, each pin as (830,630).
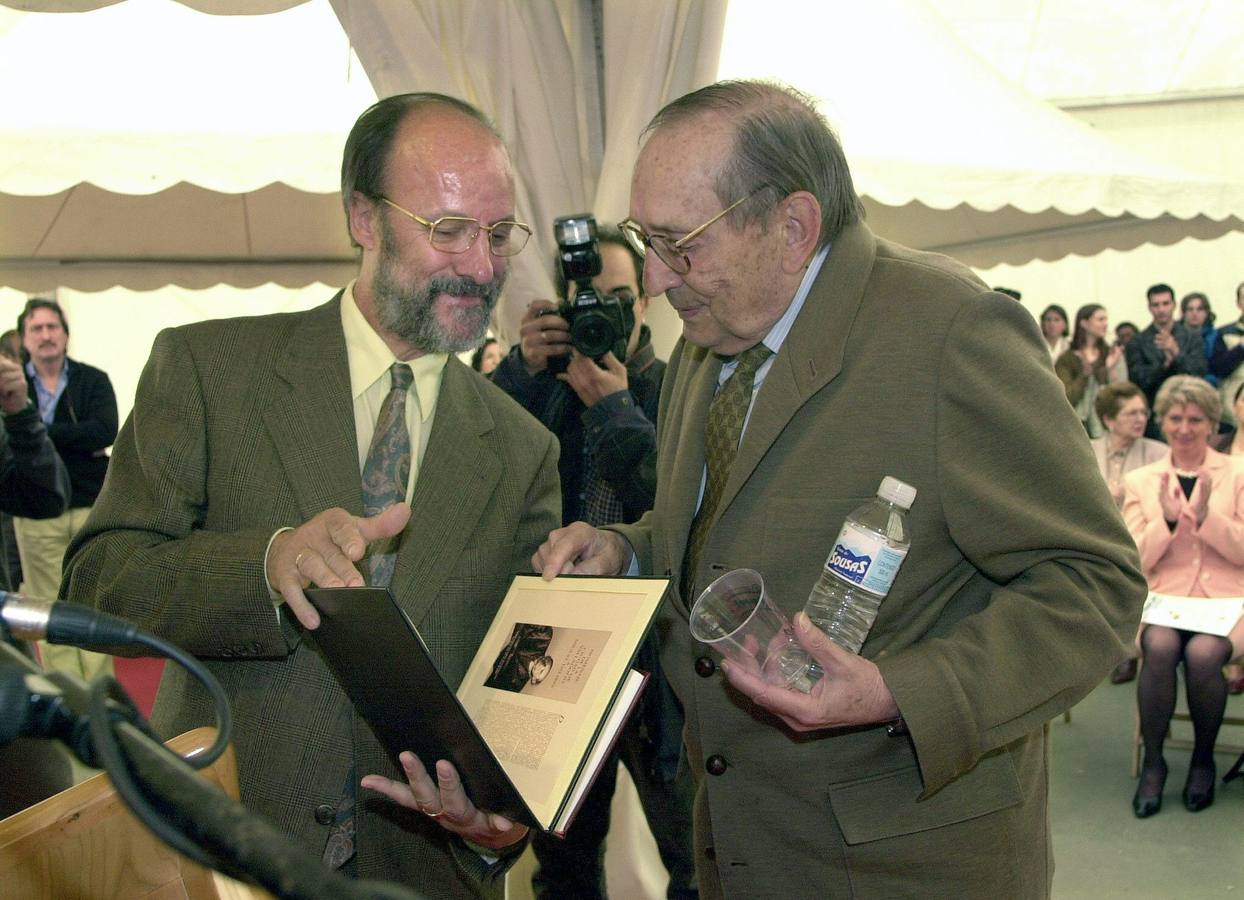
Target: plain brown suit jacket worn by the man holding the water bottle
(1016,599)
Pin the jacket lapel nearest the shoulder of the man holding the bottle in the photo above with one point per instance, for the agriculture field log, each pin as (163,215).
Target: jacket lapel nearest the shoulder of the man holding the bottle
(812,355)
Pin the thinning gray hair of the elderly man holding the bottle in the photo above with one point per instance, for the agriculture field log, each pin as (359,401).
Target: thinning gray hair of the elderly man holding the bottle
(783,145)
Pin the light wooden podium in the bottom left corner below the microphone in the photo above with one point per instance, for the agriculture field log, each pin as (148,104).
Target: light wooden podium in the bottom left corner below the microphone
(84,845)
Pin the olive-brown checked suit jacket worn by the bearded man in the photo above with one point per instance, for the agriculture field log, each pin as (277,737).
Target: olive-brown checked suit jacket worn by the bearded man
(239,428)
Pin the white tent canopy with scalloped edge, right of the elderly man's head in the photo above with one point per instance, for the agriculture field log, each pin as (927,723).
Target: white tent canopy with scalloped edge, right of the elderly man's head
(929,126)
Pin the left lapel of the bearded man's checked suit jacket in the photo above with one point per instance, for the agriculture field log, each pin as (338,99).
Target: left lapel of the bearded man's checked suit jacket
(312,423)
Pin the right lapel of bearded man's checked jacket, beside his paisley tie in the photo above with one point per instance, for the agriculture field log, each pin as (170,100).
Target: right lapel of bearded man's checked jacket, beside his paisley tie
(458,476)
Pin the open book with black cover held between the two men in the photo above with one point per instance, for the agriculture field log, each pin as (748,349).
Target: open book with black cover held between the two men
(541,706)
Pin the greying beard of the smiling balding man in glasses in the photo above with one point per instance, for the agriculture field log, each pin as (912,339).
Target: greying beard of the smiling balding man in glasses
(410,311)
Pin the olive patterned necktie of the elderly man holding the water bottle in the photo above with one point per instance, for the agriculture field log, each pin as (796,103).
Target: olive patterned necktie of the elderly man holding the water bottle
(722,434)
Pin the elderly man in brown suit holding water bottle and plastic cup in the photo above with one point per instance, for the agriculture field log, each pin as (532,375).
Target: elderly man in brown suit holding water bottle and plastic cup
(818,359)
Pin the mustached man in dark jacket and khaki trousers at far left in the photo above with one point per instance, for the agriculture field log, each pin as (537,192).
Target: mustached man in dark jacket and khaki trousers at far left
(78,405)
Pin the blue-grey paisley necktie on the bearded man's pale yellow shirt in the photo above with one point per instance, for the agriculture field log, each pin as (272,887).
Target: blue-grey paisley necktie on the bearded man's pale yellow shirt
(388,471)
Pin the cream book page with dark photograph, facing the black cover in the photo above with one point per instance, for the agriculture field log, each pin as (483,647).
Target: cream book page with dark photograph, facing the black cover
(548,672)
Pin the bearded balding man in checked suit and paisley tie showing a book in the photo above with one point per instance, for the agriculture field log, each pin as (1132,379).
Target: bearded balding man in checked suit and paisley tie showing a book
(317,449)
